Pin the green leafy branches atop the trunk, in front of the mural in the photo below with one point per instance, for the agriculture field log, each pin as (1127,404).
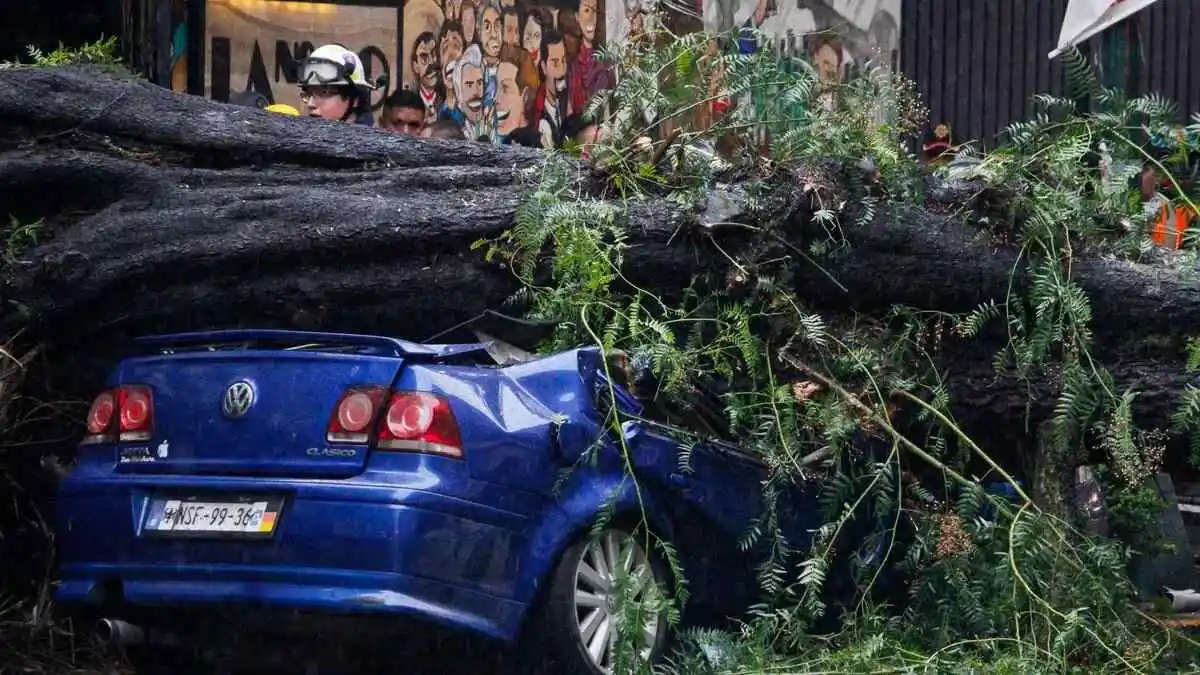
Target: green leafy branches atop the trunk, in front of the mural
(665,83)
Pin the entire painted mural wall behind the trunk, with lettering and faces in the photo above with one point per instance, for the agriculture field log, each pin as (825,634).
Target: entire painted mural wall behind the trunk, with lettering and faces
(497,67)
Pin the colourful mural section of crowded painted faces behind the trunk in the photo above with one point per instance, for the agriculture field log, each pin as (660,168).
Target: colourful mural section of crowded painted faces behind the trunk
(497,67)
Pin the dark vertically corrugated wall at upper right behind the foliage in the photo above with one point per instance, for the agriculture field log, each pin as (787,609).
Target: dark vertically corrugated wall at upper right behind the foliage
(979,63)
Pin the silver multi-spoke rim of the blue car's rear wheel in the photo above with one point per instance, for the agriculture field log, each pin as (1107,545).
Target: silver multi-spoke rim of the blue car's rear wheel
(596,595)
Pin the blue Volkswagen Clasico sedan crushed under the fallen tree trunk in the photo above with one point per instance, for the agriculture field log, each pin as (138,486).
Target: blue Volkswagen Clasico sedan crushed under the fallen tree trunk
(351,476)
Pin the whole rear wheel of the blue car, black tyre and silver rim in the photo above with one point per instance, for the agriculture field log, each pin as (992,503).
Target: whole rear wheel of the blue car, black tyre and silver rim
(580,619)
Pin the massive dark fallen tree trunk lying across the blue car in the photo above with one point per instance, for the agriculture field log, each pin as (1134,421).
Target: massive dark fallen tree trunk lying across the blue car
(170,213)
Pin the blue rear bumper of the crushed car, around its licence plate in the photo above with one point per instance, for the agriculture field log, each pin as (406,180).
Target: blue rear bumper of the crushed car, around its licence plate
(340,549)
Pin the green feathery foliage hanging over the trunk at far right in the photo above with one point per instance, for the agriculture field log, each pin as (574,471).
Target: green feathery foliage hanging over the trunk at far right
(1069,182)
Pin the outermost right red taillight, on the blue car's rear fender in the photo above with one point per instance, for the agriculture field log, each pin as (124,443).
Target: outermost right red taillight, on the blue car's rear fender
(421,422)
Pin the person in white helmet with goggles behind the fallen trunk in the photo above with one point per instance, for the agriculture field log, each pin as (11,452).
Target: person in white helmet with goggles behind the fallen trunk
(334,86)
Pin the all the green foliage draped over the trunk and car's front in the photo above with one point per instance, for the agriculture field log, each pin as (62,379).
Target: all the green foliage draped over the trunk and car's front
(992,587)
